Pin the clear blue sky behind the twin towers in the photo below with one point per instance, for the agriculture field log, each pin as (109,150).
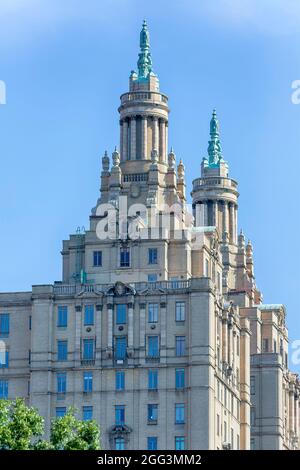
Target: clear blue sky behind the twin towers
(65,63)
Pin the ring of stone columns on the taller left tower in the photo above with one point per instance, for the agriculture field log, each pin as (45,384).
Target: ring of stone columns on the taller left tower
(135,141)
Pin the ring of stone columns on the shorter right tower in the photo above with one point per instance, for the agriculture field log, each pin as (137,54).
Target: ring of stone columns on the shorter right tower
(219,213)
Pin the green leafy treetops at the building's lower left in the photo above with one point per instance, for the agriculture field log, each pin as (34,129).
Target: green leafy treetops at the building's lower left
(22,428)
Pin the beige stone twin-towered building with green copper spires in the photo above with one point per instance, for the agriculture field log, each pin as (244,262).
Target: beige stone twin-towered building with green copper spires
(157,329)
